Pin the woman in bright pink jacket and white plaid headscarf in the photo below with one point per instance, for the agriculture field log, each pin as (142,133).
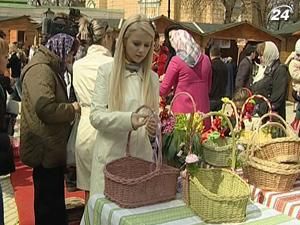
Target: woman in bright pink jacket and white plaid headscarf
(188,71)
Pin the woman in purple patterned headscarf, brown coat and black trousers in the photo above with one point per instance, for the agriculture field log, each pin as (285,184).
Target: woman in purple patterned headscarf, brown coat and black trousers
(46,118)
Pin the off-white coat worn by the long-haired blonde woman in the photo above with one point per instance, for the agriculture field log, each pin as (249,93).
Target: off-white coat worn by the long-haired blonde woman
(113,127)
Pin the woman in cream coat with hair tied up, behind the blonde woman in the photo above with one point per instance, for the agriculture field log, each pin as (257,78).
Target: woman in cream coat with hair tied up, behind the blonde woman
(84,77)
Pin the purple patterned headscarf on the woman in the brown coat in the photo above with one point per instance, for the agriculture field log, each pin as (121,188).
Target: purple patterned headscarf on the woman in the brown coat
(61,44)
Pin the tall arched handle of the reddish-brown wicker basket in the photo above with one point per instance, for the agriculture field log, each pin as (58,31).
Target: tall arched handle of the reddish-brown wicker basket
(158,139)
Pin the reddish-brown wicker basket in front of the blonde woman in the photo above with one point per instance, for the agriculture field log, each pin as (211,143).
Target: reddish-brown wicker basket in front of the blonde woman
(133,182)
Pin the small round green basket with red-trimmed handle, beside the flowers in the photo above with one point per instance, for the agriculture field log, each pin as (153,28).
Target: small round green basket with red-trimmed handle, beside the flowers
(218,155)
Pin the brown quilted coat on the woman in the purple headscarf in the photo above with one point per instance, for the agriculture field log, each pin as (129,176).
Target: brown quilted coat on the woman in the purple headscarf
(46,115)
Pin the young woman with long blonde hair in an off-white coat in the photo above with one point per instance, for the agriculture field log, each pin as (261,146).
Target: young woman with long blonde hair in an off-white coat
(121,87)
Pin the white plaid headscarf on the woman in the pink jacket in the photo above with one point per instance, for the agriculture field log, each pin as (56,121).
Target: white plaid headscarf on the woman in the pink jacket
(185,46)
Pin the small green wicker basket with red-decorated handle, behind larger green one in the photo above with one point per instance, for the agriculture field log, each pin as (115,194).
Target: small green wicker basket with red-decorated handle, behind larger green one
(217,152)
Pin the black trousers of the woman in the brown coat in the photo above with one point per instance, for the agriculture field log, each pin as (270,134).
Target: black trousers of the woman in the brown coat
(49,196)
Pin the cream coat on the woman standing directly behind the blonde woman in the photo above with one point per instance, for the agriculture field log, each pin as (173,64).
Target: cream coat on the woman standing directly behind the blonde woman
(84,77)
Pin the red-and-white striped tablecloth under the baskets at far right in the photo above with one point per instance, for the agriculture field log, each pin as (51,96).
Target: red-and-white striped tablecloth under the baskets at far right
(287,203)
